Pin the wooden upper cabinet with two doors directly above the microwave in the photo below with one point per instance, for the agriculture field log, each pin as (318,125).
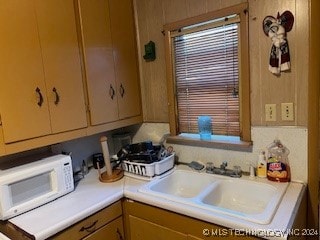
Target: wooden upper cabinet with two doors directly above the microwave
(40,53)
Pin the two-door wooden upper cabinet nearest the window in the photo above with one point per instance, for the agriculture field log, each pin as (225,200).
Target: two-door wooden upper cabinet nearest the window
(109,47)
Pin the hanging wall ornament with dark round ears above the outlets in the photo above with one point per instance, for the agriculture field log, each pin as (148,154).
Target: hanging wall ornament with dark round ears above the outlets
(276,29)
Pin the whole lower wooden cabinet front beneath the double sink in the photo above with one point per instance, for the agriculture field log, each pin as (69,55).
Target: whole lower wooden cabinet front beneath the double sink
(145,222)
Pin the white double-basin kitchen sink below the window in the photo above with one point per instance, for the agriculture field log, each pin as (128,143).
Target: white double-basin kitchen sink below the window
(252,200)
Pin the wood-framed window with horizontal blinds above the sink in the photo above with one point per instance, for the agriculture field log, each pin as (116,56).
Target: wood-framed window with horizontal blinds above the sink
(208,73)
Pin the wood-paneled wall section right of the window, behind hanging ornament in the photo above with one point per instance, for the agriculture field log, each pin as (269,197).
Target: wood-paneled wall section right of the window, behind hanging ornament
(291,86)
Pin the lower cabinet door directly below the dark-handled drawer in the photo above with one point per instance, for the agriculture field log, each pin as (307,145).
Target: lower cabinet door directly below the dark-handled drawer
(111,231)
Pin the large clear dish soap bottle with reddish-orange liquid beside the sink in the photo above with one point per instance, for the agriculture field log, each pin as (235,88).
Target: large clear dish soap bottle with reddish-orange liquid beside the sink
(278,168)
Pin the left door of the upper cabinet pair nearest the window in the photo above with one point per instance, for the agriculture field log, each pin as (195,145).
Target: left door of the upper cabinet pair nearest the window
(99,63)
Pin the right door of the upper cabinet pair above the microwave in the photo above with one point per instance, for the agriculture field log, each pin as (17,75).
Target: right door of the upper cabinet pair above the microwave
(62,67)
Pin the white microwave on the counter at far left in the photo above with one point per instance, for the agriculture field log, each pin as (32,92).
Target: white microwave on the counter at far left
(31,185)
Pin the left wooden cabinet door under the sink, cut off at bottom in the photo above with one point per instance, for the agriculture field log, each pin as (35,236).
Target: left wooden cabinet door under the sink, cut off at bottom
(141,229)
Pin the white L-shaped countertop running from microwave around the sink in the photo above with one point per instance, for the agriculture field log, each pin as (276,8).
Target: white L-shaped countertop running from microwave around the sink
(91,196)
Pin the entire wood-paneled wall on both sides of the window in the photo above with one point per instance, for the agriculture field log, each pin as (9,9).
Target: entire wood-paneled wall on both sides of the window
(292,86)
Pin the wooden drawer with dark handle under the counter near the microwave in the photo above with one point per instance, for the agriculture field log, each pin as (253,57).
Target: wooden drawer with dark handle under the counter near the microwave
(91,223)
